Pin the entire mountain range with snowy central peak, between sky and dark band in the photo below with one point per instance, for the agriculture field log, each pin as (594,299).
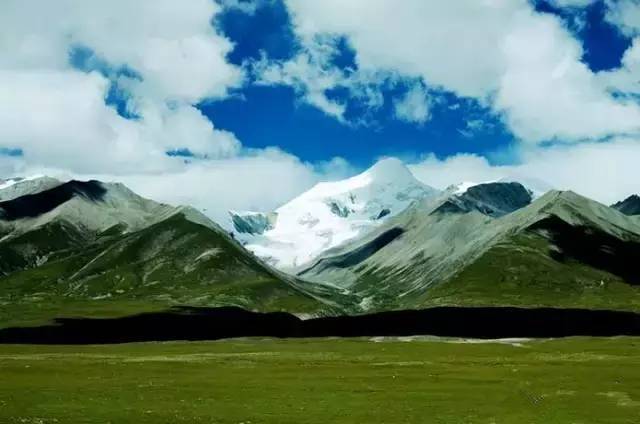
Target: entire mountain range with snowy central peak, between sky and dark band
(379,241)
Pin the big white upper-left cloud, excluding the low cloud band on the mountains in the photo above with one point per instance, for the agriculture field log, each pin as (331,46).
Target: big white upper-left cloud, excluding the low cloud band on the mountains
(57,114)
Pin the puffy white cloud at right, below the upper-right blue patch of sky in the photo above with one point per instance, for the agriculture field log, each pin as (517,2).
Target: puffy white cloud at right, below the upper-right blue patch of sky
(547,93)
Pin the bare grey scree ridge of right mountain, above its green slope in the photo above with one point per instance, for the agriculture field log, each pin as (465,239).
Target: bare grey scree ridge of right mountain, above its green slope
(432,248)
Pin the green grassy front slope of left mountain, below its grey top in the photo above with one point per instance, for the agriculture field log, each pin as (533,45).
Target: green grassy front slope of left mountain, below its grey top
(160,266)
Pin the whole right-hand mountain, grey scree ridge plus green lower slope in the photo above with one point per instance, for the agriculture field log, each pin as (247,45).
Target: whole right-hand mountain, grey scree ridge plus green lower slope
(561,250)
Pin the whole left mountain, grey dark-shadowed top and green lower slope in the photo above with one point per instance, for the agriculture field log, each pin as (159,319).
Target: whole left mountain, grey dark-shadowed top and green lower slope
(94,246)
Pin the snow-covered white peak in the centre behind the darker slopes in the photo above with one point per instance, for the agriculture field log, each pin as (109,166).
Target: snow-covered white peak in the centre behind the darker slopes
(329,214)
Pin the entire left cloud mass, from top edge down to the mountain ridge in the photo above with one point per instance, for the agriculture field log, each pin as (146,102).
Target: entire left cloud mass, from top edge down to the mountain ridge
(163,56)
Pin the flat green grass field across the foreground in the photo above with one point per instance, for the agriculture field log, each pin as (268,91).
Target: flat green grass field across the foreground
(576,380)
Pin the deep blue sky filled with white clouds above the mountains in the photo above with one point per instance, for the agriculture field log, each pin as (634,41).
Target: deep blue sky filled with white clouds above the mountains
(243,104)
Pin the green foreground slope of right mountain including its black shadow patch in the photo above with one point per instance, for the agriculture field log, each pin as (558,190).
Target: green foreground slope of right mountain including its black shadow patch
(537,268)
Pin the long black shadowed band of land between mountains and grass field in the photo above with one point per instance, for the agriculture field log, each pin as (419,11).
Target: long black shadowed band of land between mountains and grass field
(186,323)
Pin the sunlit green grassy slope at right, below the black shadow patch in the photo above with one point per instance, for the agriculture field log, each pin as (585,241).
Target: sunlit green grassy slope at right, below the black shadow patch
(521,272)
